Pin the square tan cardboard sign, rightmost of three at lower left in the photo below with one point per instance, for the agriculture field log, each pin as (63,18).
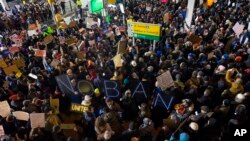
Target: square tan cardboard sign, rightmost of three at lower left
(37,120)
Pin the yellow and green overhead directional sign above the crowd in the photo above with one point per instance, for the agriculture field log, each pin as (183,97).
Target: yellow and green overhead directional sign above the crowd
(144,30)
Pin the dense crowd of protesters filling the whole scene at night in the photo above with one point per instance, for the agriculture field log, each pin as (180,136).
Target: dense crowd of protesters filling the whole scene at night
(211,93)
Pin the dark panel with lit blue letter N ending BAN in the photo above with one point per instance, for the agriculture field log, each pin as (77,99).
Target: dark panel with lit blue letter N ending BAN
(163,100)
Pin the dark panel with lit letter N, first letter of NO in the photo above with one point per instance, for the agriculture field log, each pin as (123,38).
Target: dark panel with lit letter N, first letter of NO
(64,84)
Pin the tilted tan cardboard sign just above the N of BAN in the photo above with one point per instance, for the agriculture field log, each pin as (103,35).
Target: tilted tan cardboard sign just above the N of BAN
(165,80)
